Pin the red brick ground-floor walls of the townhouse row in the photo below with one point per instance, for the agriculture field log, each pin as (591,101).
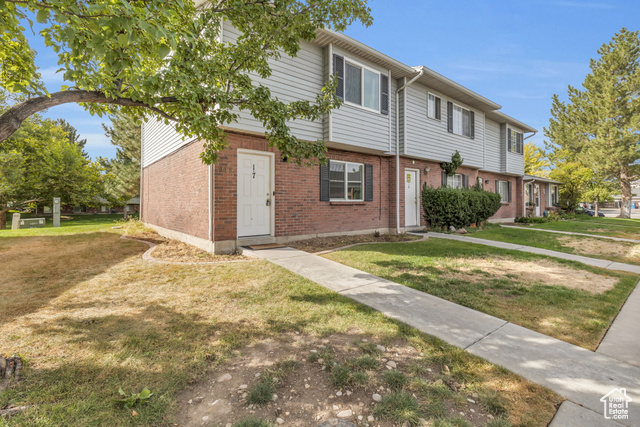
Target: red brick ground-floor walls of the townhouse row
(175,193)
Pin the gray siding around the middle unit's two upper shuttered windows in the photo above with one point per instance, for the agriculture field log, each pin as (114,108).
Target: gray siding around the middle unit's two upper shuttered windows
(428,138)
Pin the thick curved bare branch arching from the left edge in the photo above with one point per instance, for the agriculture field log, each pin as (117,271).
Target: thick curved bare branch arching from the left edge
(12,119)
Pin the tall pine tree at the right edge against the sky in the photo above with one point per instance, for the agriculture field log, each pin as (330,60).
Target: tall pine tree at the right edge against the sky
(600,123)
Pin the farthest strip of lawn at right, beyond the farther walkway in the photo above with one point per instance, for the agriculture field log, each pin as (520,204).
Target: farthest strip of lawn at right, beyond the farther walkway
(614,227)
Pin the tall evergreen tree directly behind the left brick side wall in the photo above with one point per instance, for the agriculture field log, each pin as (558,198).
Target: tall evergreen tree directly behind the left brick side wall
(122,177)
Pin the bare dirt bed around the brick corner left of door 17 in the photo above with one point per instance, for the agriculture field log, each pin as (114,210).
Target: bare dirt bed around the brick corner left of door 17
(175,251)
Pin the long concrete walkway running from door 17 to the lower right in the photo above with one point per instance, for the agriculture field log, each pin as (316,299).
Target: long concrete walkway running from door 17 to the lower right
(581,376)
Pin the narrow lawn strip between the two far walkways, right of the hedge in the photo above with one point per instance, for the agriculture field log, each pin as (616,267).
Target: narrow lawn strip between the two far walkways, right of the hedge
(625,252)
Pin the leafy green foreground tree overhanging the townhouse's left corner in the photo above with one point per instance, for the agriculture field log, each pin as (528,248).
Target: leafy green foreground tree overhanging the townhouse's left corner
(165,59)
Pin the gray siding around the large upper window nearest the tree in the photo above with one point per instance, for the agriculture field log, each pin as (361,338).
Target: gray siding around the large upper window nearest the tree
(354,125)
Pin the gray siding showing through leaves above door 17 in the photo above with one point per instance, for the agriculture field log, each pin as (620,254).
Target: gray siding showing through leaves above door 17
(292,79)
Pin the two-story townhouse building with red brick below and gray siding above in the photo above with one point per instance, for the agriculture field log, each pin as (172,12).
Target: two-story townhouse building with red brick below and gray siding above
(387,140)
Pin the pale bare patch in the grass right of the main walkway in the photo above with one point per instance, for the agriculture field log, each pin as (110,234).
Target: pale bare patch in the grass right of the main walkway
(543,271)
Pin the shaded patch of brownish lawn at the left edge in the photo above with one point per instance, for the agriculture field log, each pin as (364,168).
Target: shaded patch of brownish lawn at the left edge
(36,270)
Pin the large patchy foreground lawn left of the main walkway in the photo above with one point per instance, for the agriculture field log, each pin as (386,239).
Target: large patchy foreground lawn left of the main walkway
(89,316)
